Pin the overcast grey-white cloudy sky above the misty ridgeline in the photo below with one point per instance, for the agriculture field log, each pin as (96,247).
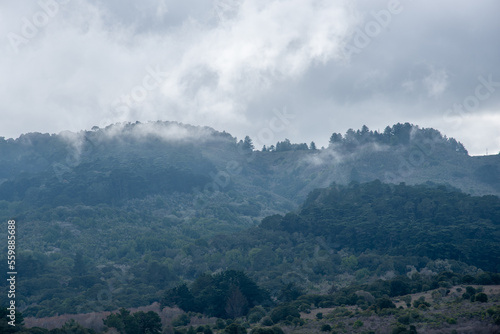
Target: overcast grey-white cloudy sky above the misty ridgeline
(271,69)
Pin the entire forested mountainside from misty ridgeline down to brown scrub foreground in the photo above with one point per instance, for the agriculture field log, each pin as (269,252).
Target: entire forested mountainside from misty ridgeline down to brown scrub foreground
(191,217)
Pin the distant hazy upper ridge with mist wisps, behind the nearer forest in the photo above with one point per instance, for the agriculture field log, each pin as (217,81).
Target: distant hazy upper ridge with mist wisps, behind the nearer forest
(127,161)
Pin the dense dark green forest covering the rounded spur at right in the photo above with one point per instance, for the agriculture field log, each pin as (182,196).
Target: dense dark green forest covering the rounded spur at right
(431,221)
